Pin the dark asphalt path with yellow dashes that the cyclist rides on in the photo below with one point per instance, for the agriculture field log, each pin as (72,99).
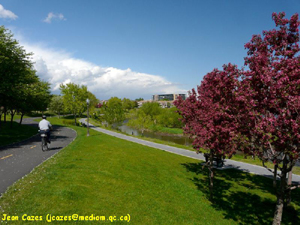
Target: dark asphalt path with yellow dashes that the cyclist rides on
(19,159)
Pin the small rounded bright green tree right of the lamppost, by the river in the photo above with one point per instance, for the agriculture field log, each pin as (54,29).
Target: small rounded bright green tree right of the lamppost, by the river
(113,111)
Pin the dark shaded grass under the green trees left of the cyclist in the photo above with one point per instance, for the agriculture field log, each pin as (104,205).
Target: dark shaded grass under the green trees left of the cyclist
(17,133)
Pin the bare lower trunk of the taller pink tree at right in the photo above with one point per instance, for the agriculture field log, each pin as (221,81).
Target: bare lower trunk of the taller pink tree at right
(281,195)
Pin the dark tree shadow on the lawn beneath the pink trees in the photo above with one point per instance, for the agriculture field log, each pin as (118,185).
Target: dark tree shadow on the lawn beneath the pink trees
(242,197)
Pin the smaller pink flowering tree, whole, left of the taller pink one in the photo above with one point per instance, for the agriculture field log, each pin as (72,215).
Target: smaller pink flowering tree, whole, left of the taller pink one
(209,115)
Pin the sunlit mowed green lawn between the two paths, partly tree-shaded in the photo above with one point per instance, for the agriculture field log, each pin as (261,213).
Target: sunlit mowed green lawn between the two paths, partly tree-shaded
(106,176)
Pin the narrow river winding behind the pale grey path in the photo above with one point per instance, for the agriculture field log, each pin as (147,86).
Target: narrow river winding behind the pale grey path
(182,140)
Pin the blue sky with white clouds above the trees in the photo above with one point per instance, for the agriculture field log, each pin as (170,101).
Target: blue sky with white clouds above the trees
(136,48)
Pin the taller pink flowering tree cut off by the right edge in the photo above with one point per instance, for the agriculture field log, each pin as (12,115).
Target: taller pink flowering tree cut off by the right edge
(271,93)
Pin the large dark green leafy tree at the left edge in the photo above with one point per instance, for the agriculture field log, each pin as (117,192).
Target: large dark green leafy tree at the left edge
(16,74)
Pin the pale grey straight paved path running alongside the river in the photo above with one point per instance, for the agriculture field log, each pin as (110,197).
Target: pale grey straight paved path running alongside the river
(191,154)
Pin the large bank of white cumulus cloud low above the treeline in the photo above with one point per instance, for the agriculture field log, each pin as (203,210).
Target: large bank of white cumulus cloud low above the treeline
(61,67)
